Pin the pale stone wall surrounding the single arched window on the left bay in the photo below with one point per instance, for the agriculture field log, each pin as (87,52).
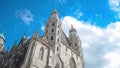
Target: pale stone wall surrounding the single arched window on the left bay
(37,62)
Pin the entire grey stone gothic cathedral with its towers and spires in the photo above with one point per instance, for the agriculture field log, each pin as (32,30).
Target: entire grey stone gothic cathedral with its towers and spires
(52,50)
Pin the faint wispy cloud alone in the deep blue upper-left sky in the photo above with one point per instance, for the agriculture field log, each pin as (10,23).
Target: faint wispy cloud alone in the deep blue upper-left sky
(25,15)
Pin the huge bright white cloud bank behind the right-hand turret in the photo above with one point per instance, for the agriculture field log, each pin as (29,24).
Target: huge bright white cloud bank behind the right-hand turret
(96,41)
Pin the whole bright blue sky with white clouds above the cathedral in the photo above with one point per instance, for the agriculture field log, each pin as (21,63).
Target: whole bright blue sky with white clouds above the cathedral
(97,23)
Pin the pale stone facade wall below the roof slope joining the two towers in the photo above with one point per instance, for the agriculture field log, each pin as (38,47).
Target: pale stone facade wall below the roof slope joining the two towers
(65,55)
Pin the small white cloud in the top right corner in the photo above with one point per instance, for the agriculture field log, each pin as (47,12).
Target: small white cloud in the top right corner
(115,6)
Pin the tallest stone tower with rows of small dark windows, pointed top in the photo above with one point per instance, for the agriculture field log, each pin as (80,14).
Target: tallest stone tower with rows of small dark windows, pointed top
(53,30)
